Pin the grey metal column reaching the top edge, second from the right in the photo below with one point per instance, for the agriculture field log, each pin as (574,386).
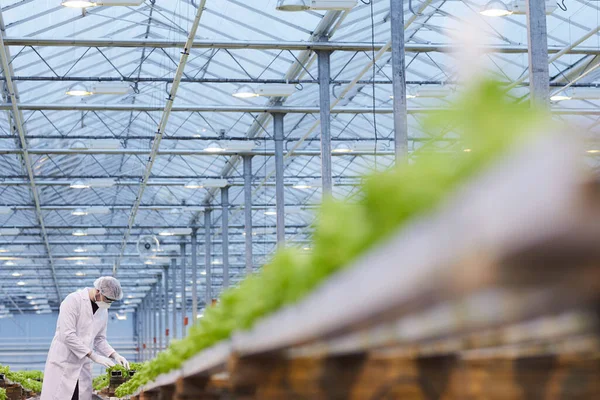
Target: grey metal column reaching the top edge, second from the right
(399,79)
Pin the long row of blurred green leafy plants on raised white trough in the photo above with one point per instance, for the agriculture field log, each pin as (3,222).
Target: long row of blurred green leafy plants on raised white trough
(486,122)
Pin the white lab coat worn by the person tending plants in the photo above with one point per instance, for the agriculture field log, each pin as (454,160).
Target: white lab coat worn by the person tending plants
(78,332)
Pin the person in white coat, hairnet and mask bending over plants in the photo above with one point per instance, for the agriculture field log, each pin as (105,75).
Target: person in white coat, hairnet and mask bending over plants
(80,338)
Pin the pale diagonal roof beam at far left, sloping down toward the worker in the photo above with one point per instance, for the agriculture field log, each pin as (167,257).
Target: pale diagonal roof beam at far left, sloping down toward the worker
(7,69)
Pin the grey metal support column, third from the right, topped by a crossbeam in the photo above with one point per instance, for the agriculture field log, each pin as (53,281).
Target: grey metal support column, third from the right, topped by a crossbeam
(325,111)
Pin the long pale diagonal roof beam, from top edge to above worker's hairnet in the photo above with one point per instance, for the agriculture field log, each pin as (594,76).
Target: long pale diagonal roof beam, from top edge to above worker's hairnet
(162,125)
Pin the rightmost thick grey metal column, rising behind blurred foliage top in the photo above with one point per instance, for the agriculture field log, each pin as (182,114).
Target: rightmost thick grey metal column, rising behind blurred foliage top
(538,52)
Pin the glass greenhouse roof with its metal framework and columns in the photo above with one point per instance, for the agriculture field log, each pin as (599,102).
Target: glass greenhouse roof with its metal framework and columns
(182,61)
